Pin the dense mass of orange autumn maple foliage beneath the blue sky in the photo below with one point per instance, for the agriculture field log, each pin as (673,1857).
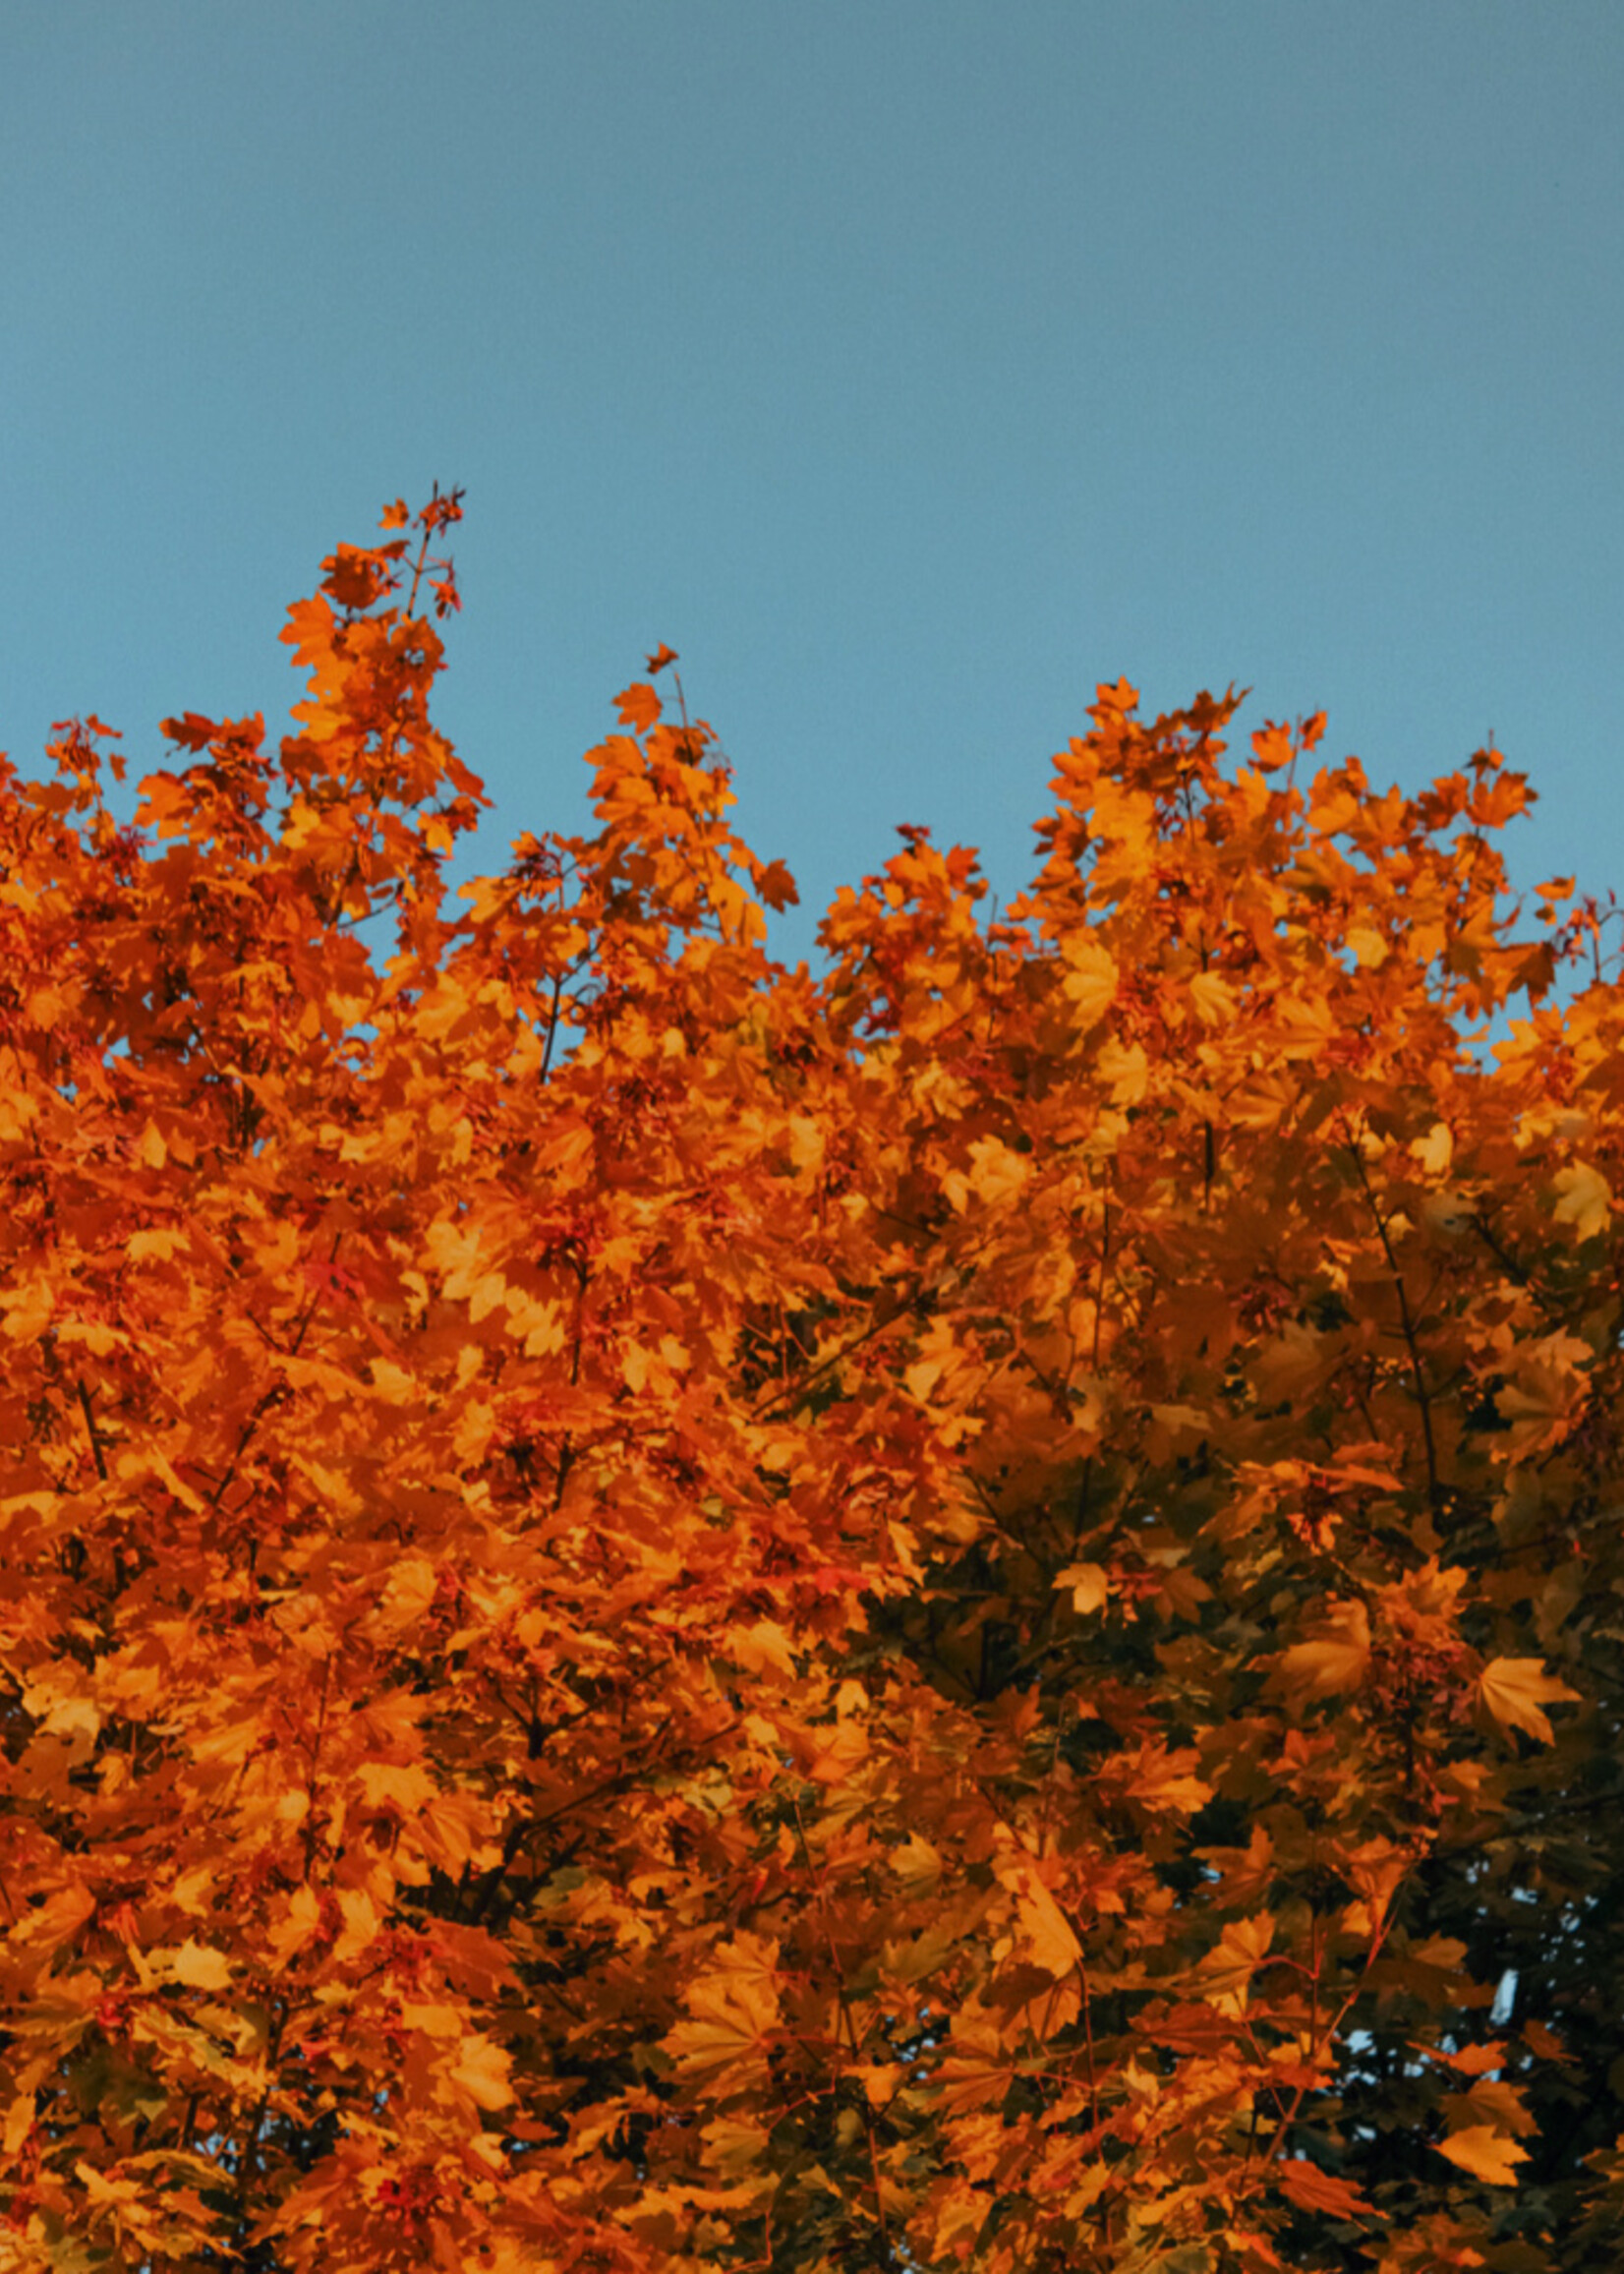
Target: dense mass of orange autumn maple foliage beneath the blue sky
(672,1613)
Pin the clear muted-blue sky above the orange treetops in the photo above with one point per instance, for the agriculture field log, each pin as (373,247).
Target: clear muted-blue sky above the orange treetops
(906,365)
